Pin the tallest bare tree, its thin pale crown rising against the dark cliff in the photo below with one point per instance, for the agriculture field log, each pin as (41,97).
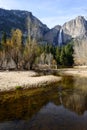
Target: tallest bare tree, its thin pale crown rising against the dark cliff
(30,49)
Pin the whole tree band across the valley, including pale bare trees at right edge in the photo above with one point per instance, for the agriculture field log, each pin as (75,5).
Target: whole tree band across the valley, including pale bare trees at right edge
(19,53)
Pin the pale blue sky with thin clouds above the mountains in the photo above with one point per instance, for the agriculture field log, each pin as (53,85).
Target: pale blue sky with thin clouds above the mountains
(50,12)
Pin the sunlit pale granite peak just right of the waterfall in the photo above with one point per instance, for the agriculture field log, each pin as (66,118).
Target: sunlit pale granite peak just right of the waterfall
(76,28)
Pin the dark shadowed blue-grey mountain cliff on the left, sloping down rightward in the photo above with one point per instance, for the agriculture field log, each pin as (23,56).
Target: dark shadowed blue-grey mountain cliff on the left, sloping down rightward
(12,19)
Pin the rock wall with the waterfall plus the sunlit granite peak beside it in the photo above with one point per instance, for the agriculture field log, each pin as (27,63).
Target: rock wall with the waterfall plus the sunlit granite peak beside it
(76,28)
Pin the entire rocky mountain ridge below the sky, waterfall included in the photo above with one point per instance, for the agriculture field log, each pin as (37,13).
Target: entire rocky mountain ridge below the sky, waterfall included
(59,35)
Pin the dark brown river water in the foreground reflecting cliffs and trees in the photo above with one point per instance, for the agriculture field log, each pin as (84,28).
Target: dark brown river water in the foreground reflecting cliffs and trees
(62,107)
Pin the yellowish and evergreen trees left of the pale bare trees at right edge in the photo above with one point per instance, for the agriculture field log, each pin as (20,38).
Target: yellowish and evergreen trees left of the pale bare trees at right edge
(17,53)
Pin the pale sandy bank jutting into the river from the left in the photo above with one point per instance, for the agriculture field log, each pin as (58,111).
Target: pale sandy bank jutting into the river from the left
(25,79)
